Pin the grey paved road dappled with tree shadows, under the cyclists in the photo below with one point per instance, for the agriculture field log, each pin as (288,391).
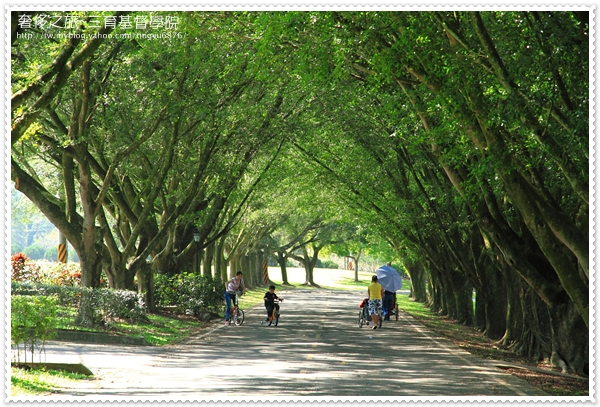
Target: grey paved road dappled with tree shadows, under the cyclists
(318,350)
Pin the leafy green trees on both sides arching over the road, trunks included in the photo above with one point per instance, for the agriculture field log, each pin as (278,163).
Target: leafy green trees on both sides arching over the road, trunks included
(452,142)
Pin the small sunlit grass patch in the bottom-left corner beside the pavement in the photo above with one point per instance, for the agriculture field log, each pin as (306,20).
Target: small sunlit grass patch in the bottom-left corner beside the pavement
(28,382)
